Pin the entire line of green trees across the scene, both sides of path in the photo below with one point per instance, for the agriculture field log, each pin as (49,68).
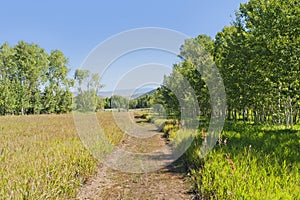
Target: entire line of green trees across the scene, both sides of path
(257,57)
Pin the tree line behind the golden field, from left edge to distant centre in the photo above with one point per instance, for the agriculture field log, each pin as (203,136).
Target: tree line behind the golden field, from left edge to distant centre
(33,81)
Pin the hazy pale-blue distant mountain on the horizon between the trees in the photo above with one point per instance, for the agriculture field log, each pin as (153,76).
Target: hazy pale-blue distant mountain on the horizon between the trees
(128,93)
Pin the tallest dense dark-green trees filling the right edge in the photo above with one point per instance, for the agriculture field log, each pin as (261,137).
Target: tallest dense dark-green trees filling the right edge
(258,57)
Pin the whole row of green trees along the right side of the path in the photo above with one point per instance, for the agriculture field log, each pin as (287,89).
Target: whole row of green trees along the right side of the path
(258,59)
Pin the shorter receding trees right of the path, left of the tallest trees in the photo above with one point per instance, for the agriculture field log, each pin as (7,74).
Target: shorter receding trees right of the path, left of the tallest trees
(185,90)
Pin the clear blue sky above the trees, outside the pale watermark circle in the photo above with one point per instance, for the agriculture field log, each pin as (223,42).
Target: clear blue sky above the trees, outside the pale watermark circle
(76,27)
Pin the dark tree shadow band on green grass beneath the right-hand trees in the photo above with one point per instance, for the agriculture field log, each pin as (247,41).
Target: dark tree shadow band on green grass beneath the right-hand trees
(277,141)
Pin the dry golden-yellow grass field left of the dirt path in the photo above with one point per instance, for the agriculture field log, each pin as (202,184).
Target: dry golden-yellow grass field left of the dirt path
(41,157)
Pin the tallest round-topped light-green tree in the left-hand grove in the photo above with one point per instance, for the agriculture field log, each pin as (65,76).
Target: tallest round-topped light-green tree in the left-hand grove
(31,62)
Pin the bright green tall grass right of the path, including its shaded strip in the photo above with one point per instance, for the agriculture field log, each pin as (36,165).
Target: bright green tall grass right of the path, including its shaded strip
(257,162)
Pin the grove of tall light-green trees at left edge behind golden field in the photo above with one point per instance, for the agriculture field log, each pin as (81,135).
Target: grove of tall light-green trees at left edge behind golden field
(33,81)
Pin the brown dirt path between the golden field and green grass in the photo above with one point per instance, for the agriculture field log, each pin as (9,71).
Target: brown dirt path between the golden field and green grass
(167,183)
